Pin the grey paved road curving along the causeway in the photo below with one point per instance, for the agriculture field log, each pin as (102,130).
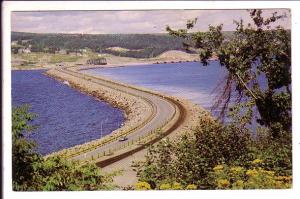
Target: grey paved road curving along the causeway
(163,111)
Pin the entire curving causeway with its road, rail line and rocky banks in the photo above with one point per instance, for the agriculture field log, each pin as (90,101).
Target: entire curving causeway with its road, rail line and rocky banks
(150,116)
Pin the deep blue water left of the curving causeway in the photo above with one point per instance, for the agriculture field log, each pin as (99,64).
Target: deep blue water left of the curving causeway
(66,117)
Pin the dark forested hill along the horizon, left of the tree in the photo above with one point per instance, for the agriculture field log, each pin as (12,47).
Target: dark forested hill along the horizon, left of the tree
(136,45)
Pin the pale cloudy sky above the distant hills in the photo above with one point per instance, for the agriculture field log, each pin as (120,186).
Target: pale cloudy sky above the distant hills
(117,22)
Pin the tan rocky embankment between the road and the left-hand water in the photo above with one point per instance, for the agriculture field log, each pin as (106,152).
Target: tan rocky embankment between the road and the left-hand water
(136,109)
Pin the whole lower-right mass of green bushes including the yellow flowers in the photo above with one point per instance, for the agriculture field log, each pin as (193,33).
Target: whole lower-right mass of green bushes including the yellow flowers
(192,160)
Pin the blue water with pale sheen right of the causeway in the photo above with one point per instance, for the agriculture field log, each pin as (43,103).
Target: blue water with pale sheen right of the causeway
(190,80)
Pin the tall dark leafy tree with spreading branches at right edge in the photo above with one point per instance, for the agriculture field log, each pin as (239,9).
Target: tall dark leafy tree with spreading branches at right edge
(258,61)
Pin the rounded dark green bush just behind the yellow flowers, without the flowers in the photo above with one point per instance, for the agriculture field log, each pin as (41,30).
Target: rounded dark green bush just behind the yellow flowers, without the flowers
(190,159)
